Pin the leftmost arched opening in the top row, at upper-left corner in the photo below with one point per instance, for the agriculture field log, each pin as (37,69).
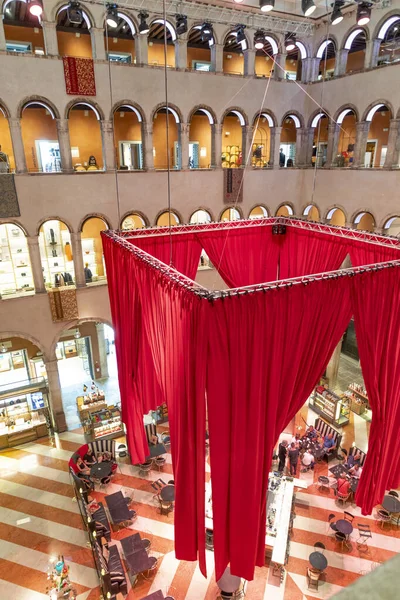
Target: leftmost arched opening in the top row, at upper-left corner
(23,31)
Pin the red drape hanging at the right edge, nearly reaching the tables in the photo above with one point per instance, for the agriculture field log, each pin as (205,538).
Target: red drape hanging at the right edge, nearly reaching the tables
(376,302)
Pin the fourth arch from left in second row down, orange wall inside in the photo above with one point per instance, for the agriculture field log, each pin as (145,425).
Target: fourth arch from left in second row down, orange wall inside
(128,124)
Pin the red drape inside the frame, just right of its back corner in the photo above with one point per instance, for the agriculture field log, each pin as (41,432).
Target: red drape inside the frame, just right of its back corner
(306,252)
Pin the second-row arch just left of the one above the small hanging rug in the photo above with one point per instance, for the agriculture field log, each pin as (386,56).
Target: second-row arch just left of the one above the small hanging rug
(201,139)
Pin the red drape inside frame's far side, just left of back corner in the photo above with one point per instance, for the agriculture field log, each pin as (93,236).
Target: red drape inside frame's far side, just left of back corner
(243,256)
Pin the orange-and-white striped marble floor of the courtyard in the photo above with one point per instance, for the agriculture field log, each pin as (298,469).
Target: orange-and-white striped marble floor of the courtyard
(39,519)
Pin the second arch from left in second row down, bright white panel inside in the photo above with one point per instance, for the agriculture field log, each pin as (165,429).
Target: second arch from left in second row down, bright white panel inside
(40,138)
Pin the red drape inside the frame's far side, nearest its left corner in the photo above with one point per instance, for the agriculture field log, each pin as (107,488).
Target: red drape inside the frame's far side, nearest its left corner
(186,251)
